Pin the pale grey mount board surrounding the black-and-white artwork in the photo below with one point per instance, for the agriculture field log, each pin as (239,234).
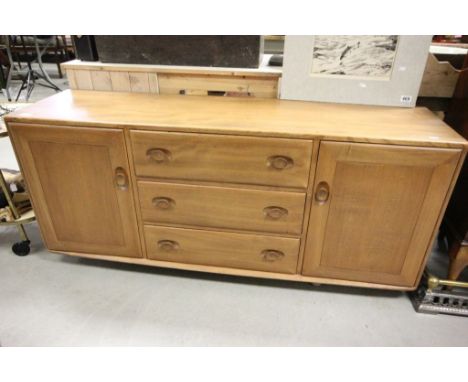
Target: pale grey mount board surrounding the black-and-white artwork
(399,88)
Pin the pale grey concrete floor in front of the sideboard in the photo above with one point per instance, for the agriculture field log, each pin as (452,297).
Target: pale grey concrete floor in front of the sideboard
(48,299)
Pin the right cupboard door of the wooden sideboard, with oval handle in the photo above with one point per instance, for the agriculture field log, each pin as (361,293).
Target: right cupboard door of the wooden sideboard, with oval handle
(374,211)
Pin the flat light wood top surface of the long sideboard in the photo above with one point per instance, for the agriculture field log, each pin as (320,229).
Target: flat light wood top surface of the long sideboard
(242,116)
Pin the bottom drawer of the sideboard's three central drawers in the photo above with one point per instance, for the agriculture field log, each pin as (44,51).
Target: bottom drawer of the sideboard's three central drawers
(222,249)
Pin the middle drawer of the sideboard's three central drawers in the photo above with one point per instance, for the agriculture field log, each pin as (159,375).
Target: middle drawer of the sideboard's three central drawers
(222,207)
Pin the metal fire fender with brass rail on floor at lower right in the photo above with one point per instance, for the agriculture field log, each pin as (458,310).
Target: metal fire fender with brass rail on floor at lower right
(433,296)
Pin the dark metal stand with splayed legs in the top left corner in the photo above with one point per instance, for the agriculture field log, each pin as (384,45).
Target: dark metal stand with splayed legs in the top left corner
(31,75)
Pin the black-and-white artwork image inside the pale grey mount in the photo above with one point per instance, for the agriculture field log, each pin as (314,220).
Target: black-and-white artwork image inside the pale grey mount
(356,56)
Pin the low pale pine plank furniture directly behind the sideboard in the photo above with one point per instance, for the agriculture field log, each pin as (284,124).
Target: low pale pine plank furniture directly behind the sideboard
(182,80)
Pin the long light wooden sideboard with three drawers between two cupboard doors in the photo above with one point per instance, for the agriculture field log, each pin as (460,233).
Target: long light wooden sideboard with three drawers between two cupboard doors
(312,192)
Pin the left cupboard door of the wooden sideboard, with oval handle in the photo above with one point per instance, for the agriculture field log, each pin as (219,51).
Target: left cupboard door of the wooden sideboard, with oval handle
(80,188)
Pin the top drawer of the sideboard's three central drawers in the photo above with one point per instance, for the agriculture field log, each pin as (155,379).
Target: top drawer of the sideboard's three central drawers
(263,161)
